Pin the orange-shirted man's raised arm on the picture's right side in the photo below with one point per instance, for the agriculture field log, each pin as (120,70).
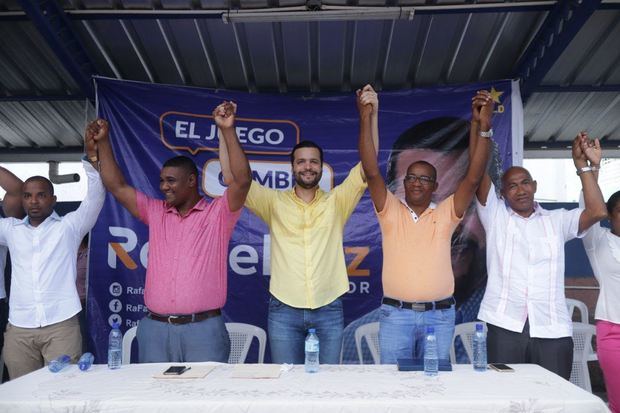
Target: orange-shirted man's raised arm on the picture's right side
(466,190)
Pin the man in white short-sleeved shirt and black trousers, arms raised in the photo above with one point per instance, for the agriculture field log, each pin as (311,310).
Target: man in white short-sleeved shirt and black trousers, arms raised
(524,303)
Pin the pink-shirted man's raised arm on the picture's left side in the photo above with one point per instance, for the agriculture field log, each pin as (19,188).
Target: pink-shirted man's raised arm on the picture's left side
(98,132)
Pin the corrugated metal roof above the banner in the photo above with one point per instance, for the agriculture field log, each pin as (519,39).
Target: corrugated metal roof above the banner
(187,42)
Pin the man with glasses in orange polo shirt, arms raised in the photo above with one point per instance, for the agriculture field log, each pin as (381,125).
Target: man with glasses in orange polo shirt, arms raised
(417,277)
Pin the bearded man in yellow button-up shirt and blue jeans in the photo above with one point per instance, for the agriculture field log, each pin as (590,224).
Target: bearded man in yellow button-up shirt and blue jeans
(308,271)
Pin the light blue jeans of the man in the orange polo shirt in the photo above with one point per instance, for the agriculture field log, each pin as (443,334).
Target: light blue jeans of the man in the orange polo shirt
(402,332)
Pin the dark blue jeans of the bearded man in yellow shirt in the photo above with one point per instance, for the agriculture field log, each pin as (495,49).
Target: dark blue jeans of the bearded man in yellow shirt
(288,327)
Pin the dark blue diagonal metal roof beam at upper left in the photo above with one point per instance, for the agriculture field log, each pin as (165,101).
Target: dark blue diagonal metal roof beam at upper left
(55,27)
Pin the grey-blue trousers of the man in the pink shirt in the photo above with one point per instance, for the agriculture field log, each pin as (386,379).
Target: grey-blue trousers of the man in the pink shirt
(205,340)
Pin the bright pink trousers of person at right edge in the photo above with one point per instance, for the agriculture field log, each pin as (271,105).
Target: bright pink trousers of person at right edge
(608,350)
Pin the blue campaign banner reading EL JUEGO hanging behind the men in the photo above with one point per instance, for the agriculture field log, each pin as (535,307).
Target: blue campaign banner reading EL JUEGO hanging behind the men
(151,123)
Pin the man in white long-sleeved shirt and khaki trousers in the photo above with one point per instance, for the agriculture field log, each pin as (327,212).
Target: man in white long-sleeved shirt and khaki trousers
(44,302)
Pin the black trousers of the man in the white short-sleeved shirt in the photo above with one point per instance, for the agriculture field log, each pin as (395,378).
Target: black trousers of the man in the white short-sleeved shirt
(554,354)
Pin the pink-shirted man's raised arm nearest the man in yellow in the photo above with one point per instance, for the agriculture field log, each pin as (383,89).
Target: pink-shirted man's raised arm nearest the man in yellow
(235,166)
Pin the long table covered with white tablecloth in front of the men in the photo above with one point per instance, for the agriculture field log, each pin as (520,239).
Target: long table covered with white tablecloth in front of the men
(336,388)
